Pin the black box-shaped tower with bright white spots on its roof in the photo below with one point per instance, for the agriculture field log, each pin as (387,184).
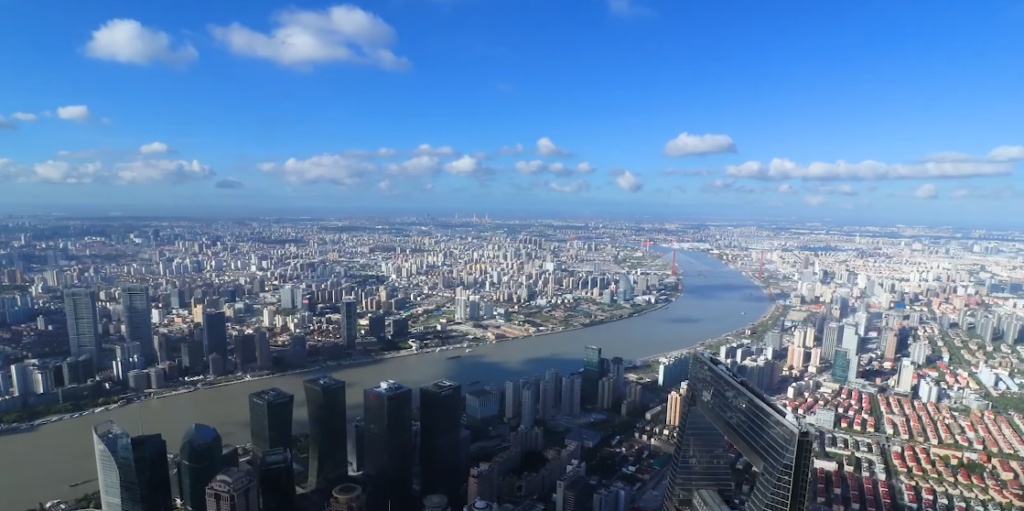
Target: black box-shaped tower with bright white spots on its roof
(388,416)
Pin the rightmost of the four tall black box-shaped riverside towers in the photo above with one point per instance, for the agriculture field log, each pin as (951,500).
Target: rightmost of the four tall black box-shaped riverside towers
(443,469)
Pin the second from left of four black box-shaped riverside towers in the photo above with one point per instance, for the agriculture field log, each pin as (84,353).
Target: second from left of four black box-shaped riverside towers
(328,432)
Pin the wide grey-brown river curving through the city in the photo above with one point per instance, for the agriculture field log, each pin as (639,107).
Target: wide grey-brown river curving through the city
(39,465)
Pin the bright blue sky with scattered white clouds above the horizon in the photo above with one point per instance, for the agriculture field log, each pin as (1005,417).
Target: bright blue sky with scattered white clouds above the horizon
(895,111)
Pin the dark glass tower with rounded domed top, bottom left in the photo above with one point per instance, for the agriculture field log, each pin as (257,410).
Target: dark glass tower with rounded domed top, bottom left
(201,455)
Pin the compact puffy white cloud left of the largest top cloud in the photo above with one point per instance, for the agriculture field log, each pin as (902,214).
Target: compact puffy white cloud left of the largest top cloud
(127,41)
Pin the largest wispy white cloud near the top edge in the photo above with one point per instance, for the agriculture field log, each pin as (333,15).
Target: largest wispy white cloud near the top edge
(303,38)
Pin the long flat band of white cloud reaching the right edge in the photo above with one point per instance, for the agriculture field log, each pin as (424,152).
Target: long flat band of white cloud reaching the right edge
(999,162)
